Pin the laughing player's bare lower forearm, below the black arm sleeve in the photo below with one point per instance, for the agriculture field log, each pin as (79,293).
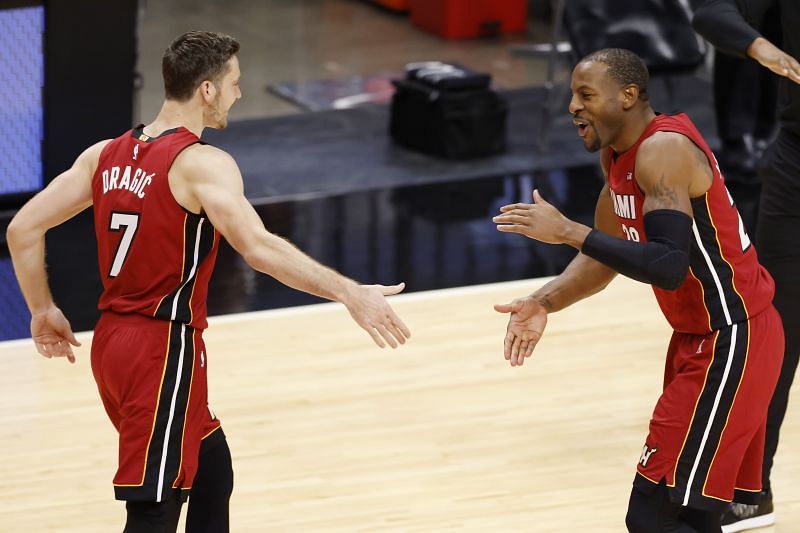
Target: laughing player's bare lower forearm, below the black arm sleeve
(582,278)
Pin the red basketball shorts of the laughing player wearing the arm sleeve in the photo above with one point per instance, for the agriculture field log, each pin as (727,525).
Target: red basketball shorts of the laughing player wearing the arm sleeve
(707,432)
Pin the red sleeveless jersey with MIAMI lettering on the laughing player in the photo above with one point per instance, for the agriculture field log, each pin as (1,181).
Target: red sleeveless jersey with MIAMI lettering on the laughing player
(726,283)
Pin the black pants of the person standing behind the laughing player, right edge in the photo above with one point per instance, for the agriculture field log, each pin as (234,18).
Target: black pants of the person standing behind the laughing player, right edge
(778,246)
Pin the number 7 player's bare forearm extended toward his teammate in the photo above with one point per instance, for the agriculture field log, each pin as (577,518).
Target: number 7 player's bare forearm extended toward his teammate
(283,261)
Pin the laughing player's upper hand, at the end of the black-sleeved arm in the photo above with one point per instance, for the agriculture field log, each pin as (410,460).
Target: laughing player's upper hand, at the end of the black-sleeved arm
(540,220)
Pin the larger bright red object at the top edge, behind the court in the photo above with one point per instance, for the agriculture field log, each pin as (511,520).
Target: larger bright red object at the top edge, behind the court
(455,19)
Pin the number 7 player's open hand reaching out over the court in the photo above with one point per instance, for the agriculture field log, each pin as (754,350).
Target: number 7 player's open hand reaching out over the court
(369,308)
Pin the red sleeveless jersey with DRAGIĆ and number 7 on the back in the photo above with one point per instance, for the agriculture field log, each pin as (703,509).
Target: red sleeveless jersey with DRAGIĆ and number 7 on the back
(155,257)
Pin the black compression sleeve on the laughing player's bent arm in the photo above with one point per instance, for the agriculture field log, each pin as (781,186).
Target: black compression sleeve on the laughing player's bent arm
(662,261)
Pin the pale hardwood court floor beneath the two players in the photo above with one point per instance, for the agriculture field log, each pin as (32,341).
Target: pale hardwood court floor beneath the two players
(329,433)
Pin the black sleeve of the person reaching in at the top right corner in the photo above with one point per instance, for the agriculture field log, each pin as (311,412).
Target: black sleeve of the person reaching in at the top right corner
(728,24)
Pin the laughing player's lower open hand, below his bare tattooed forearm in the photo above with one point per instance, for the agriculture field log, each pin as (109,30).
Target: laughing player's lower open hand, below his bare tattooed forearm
(525,327)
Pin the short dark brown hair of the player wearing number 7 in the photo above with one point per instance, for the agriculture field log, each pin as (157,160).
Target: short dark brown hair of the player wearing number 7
(193,58)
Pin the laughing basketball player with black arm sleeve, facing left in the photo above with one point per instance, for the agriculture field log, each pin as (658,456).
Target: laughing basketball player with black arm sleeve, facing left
(664,217)
